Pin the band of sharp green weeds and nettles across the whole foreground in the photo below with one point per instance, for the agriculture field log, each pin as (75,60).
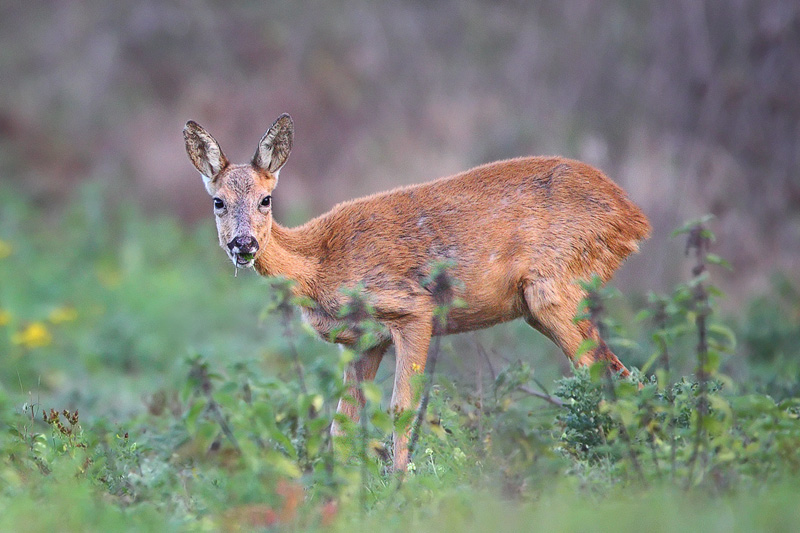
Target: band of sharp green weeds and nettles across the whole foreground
(244,440)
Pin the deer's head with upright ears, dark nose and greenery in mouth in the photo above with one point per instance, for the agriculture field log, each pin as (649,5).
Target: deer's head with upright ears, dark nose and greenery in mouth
(242,194)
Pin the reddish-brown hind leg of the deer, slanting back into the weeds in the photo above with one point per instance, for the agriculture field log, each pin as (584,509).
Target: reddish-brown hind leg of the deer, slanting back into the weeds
(552,306)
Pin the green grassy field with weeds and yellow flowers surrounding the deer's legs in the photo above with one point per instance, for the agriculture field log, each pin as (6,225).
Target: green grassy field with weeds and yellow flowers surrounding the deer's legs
(142,386)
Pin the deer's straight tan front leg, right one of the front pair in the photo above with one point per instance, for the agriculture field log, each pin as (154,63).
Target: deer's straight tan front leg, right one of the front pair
(411,344)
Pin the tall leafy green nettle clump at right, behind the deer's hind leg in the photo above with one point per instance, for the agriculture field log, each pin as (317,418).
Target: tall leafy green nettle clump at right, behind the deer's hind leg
(695,429)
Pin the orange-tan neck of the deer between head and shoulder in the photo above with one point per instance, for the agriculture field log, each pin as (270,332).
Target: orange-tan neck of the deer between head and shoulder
(289,254)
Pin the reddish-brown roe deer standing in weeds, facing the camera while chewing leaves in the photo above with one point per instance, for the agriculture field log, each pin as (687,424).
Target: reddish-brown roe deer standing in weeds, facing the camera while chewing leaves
(520,234)
